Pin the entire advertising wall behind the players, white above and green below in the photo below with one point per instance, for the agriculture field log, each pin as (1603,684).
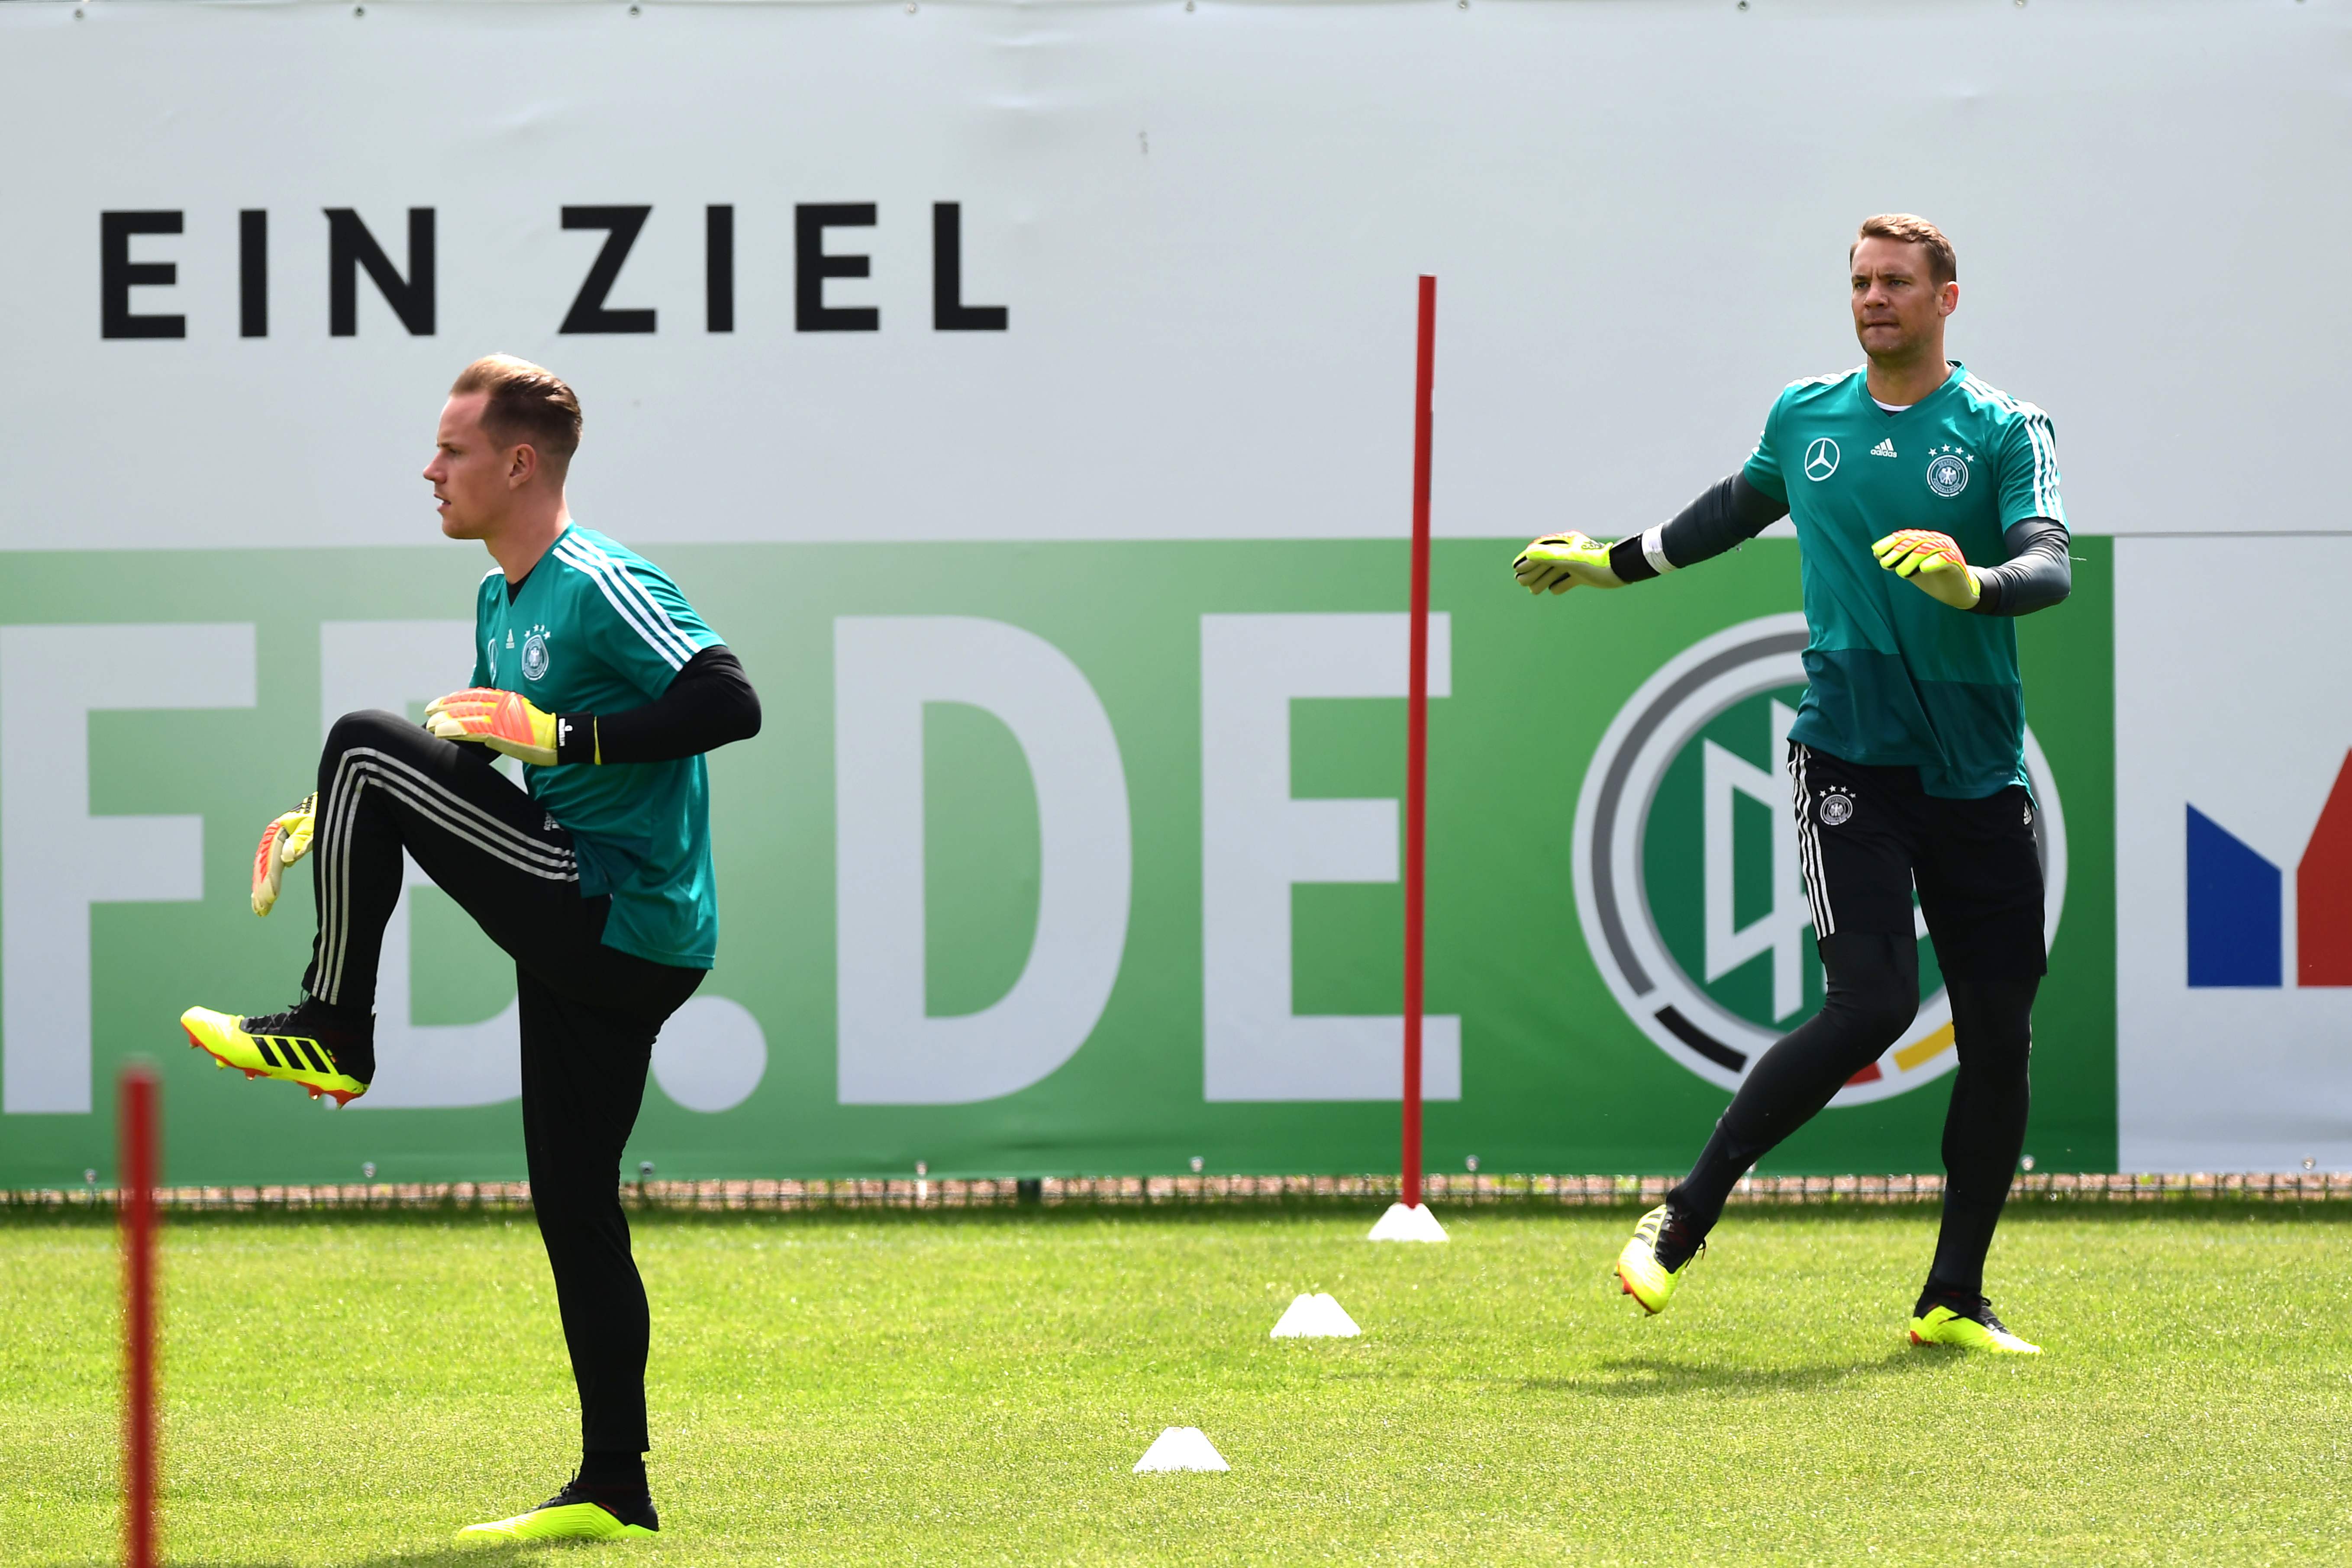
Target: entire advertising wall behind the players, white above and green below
(1024,394)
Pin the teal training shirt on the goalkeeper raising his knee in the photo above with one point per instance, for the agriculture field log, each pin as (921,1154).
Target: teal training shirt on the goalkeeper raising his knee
(601,629)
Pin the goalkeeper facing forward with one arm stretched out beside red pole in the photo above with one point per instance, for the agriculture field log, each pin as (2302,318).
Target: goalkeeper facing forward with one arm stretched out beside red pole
(1927,516)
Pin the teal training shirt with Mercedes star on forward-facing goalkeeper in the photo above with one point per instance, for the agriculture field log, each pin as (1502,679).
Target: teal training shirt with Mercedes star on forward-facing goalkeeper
(1897,678)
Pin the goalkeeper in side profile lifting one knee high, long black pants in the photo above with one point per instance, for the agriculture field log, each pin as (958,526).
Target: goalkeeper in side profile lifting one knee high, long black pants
(594,671)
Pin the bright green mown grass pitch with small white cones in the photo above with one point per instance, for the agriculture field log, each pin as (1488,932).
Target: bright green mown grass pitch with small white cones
(888,1388)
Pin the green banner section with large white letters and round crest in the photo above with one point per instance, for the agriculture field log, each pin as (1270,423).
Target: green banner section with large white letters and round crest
(1050,859)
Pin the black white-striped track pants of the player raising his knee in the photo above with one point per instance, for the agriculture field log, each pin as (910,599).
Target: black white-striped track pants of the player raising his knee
(589,1012)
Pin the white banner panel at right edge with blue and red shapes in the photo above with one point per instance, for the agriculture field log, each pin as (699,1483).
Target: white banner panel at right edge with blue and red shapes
(2233,812)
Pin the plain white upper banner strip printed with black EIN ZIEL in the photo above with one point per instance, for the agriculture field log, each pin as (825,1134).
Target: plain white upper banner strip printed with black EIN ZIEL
(1135,272)
